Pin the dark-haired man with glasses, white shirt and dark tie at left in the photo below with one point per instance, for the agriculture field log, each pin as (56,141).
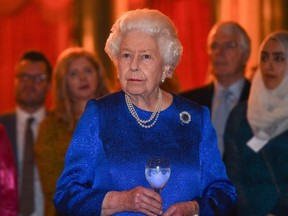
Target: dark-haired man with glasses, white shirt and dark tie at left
(32,84)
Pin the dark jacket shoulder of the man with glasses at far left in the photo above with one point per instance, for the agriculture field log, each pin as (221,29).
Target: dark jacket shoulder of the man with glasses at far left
(9,121)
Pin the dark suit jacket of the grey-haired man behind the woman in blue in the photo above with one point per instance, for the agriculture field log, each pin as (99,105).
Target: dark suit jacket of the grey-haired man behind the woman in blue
(204,95)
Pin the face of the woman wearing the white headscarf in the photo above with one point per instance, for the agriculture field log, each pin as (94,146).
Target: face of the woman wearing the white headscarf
(273,64)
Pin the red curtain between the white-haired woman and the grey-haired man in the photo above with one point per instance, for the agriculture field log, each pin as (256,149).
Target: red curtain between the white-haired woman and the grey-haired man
(193,20)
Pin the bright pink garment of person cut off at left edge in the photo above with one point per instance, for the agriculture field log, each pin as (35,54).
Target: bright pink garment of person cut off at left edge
(8,177)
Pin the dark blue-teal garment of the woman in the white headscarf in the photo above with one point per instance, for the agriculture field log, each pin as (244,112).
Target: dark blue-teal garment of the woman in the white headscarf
(260,178)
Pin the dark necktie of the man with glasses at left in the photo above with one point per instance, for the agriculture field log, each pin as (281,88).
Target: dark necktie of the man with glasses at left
(27,187)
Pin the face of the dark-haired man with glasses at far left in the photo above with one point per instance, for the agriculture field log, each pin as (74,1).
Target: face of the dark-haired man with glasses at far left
(31,84)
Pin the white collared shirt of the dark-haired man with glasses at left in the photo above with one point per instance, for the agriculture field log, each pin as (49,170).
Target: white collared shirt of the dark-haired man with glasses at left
(21,122)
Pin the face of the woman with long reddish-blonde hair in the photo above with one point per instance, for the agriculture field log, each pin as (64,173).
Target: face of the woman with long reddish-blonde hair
(81,79)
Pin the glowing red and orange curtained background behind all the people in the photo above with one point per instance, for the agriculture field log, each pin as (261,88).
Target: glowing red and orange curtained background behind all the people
(52,26)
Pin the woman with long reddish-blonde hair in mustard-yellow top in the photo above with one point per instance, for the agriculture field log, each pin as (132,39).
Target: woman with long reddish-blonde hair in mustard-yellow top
(78,77)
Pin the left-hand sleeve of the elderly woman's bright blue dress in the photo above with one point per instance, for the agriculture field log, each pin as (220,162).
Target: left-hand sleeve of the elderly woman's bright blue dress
(77,193)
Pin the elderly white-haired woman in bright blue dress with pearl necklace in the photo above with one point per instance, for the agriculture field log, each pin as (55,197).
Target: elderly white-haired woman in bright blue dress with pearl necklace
(104,170)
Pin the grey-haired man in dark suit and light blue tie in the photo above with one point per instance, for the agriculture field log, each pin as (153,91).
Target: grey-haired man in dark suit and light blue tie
(229,51)
